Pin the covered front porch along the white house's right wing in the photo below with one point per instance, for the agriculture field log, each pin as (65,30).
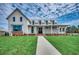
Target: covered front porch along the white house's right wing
(47,29)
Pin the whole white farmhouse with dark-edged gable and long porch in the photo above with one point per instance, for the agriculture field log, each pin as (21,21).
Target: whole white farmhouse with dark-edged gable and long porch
(19,24)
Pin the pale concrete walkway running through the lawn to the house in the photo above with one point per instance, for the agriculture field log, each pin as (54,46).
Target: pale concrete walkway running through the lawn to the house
(45,48)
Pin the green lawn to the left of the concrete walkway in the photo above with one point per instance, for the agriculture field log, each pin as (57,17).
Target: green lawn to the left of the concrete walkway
(18,45)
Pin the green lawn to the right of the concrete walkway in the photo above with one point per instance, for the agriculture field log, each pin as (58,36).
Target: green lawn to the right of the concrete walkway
(67,45)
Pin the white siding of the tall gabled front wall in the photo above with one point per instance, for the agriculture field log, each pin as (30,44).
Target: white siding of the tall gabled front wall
(17,16)
